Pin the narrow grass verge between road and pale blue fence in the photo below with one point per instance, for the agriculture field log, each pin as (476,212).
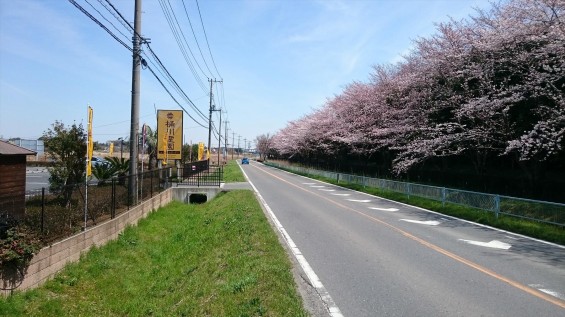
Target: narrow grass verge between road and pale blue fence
(532,229)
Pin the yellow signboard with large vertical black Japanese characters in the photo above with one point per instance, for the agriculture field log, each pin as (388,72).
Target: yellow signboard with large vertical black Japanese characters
(169,134)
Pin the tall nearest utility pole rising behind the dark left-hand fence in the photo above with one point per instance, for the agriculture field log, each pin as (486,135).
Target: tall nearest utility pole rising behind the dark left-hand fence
(135,91)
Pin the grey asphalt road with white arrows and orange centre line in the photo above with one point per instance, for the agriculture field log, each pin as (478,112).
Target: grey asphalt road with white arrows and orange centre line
(368,256)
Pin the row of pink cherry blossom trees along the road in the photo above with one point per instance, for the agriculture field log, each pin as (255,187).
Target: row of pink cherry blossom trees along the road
(488,87)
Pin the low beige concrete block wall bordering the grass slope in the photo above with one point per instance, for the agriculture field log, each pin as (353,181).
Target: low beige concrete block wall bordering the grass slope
(53,258)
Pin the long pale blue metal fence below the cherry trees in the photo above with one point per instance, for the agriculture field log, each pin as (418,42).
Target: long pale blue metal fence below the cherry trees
(541,211)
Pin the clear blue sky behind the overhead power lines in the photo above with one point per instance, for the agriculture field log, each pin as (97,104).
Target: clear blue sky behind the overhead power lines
(278,59)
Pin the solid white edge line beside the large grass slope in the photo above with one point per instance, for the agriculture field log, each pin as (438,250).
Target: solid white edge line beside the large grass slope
(314,279)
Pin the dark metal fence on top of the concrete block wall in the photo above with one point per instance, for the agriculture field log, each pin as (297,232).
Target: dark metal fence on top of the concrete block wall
(58,213)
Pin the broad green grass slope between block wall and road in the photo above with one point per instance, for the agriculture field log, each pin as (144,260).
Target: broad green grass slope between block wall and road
(216,259)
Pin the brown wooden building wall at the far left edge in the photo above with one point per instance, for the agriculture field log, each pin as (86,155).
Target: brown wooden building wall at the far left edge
(12,185)
